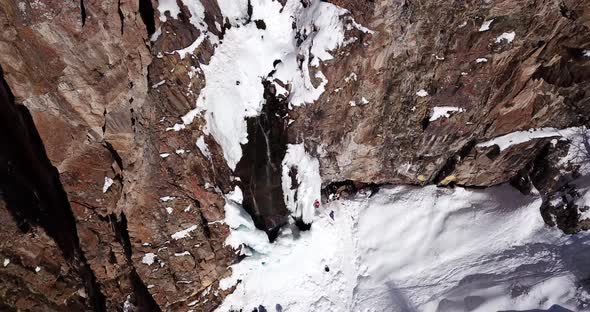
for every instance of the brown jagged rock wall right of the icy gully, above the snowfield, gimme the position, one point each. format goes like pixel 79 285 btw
pixel 540 79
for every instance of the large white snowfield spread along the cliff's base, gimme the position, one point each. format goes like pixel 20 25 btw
pixel 416 249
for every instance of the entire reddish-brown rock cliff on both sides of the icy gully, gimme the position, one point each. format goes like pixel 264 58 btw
pixel 409 100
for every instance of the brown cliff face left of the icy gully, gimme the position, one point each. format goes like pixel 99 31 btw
pixel 81 70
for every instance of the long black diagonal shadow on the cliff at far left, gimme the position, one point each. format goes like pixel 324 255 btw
pixel 32 190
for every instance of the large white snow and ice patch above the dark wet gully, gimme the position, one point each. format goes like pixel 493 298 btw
pixel 247 55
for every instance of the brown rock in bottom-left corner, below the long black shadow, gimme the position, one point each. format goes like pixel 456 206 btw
pixel 34 274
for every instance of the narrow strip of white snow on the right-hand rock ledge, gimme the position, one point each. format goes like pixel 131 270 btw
pixel 519 137
